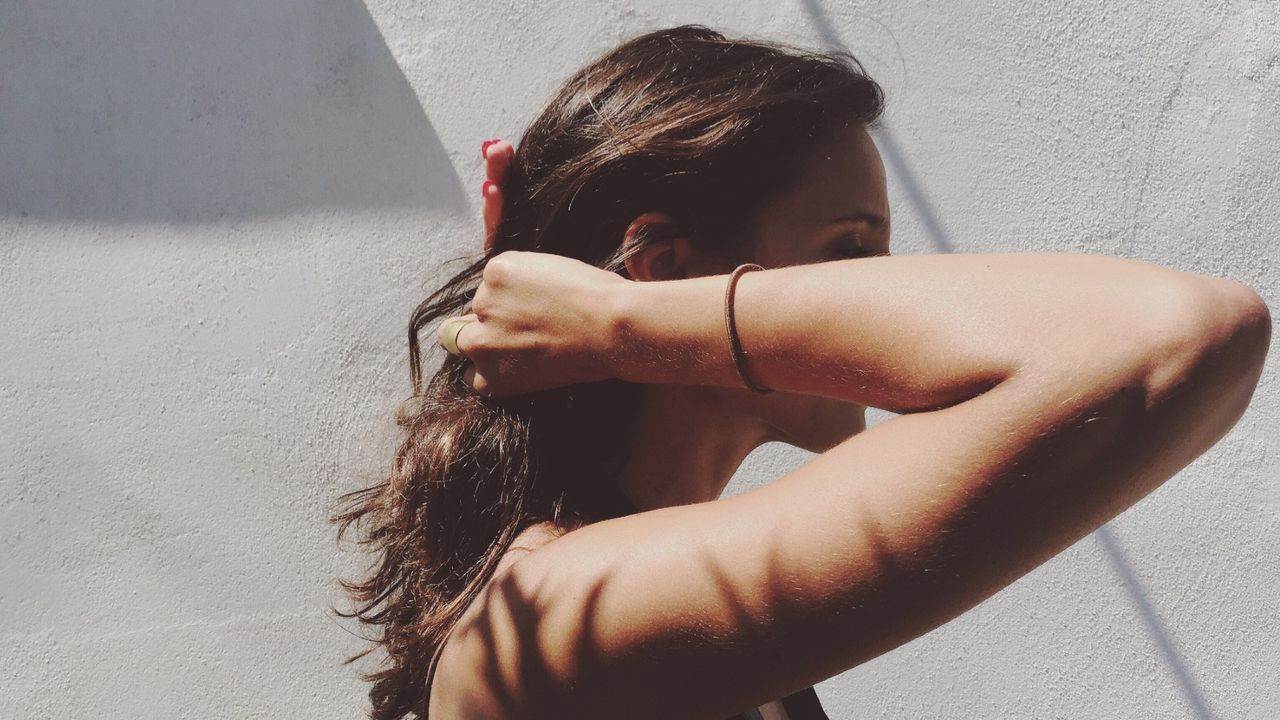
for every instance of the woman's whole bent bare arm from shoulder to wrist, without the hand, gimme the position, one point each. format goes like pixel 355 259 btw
pixel 1067 389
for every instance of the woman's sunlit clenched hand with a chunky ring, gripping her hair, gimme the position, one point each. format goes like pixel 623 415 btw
pixel 541 321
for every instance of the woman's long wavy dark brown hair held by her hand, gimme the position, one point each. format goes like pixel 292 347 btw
pixel 684 121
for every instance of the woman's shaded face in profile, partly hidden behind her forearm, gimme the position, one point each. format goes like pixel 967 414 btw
pixel 838 211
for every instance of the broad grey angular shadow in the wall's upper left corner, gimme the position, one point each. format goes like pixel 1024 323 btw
pixel 194 112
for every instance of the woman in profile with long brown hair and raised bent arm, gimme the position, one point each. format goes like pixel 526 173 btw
pixel 550 540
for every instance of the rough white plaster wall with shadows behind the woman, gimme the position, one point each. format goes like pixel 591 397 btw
pixel 217 217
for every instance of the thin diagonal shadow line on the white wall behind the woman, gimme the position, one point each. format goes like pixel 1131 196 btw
pixel 1110 546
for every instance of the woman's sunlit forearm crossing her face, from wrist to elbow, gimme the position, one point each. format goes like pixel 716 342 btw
pixel 903 334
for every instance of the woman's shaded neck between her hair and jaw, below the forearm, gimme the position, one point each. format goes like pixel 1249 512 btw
pixel 687 446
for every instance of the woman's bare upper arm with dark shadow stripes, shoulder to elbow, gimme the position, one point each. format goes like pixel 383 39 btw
pixel 706 610
